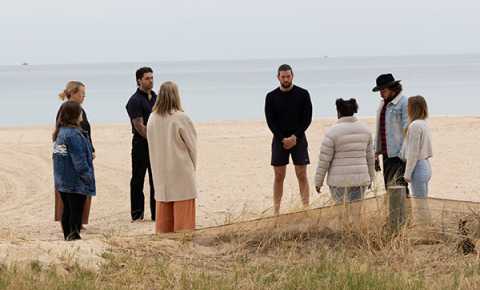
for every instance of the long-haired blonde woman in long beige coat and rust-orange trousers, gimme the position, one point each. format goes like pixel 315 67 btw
pixel 172 145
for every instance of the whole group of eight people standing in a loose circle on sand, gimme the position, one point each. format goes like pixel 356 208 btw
pixel 164 144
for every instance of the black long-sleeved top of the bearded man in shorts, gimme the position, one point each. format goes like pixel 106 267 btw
pixel 288 113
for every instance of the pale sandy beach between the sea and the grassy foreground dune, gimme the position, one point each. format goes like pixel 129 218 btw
pixel 234 178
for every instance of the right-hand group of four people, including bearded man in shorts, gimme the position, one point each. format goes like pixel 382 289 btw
pixel 349 155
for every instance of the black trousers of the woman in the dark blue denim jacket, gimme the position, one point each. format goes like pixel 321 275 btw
pixel 73 204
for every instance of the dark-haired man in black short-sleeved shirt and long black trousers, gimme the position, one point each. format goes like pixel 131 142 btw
pixel 139 108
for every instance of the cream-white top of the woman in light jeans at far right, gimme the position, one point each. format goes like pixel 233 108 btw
pixel 417 145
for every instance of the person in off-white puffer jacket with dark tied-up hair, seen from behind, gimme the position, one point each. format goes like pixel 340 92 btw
pixel 346 155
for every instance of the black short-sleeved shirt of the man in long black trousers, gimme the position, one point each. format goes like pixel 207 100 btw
pixel 140 106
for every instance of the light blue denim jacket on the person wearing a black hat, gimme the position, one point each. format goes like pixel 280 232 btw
pixel 396 122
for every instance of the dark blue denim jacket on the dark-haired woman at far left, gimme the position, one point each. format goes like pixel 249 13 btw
pixel 72 163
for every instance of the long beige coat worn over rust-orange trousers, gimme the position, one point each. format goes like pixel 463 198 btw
pixel 172 143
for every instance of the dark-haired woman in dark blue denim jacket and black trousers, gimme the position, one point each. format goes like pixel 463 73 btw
pixel 72 167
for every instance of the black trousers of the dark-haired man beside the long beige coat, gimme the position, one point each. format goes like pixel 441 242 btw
pixel 140 166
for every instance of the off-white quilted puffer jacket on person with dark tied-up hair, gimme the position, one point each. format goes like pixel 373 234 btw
pixel 347 155
